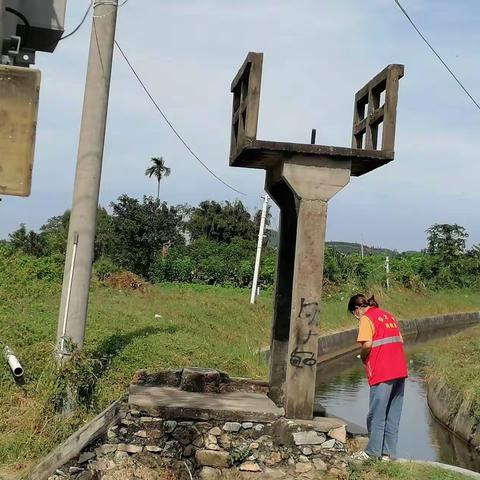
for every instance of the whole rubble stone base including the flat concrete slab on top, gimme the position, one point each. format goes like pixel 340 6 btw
pixel 206 443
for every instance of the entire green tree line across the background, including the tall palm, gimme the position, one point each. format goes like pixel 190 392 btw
pixel 215 242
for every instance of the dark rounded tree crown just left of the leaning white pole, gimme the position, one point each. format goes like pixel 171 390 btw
pixel 221 222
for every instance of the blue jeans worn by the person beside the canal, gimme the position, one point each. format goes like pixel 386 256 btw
pixel 383 420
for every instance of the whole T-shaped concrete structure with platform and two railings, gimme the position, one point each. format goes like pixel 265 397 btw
pixel 301 179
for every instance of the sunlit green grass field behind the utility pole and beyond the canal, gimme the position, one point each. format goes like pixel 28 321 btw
pixel 199 325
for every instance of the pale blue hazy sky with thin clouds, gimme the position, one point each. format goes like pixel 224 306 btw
pixel 317 54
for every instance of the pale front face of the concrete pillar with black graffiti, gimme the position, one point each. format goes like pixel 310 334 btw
pixel 312 183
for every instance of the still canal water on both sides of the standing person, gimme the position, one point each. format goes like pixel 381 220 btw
pixel 343 390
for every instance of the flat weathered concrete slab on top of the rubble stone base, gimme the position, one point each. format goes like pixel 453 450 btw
pixel 231 406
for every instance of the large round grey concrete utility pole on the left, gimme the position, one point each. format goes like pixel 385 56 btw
pixel 83 219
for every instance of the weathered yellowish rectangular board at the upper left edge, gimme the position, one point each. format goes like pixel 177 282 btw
pixel 19 90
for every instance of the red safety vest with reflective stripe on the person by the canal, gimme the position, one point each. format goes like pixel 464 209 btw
pixel 387 359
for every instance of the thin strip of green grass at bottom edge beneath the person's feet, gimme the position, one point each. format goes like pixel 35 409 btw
pixel 401 471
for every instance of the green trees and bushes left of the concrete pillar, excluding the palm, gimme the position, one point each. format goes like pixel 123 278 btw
pixel 213 242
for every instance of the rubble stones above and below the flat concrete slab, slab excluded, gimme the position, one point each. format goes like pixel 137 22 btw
pixel 148 447
